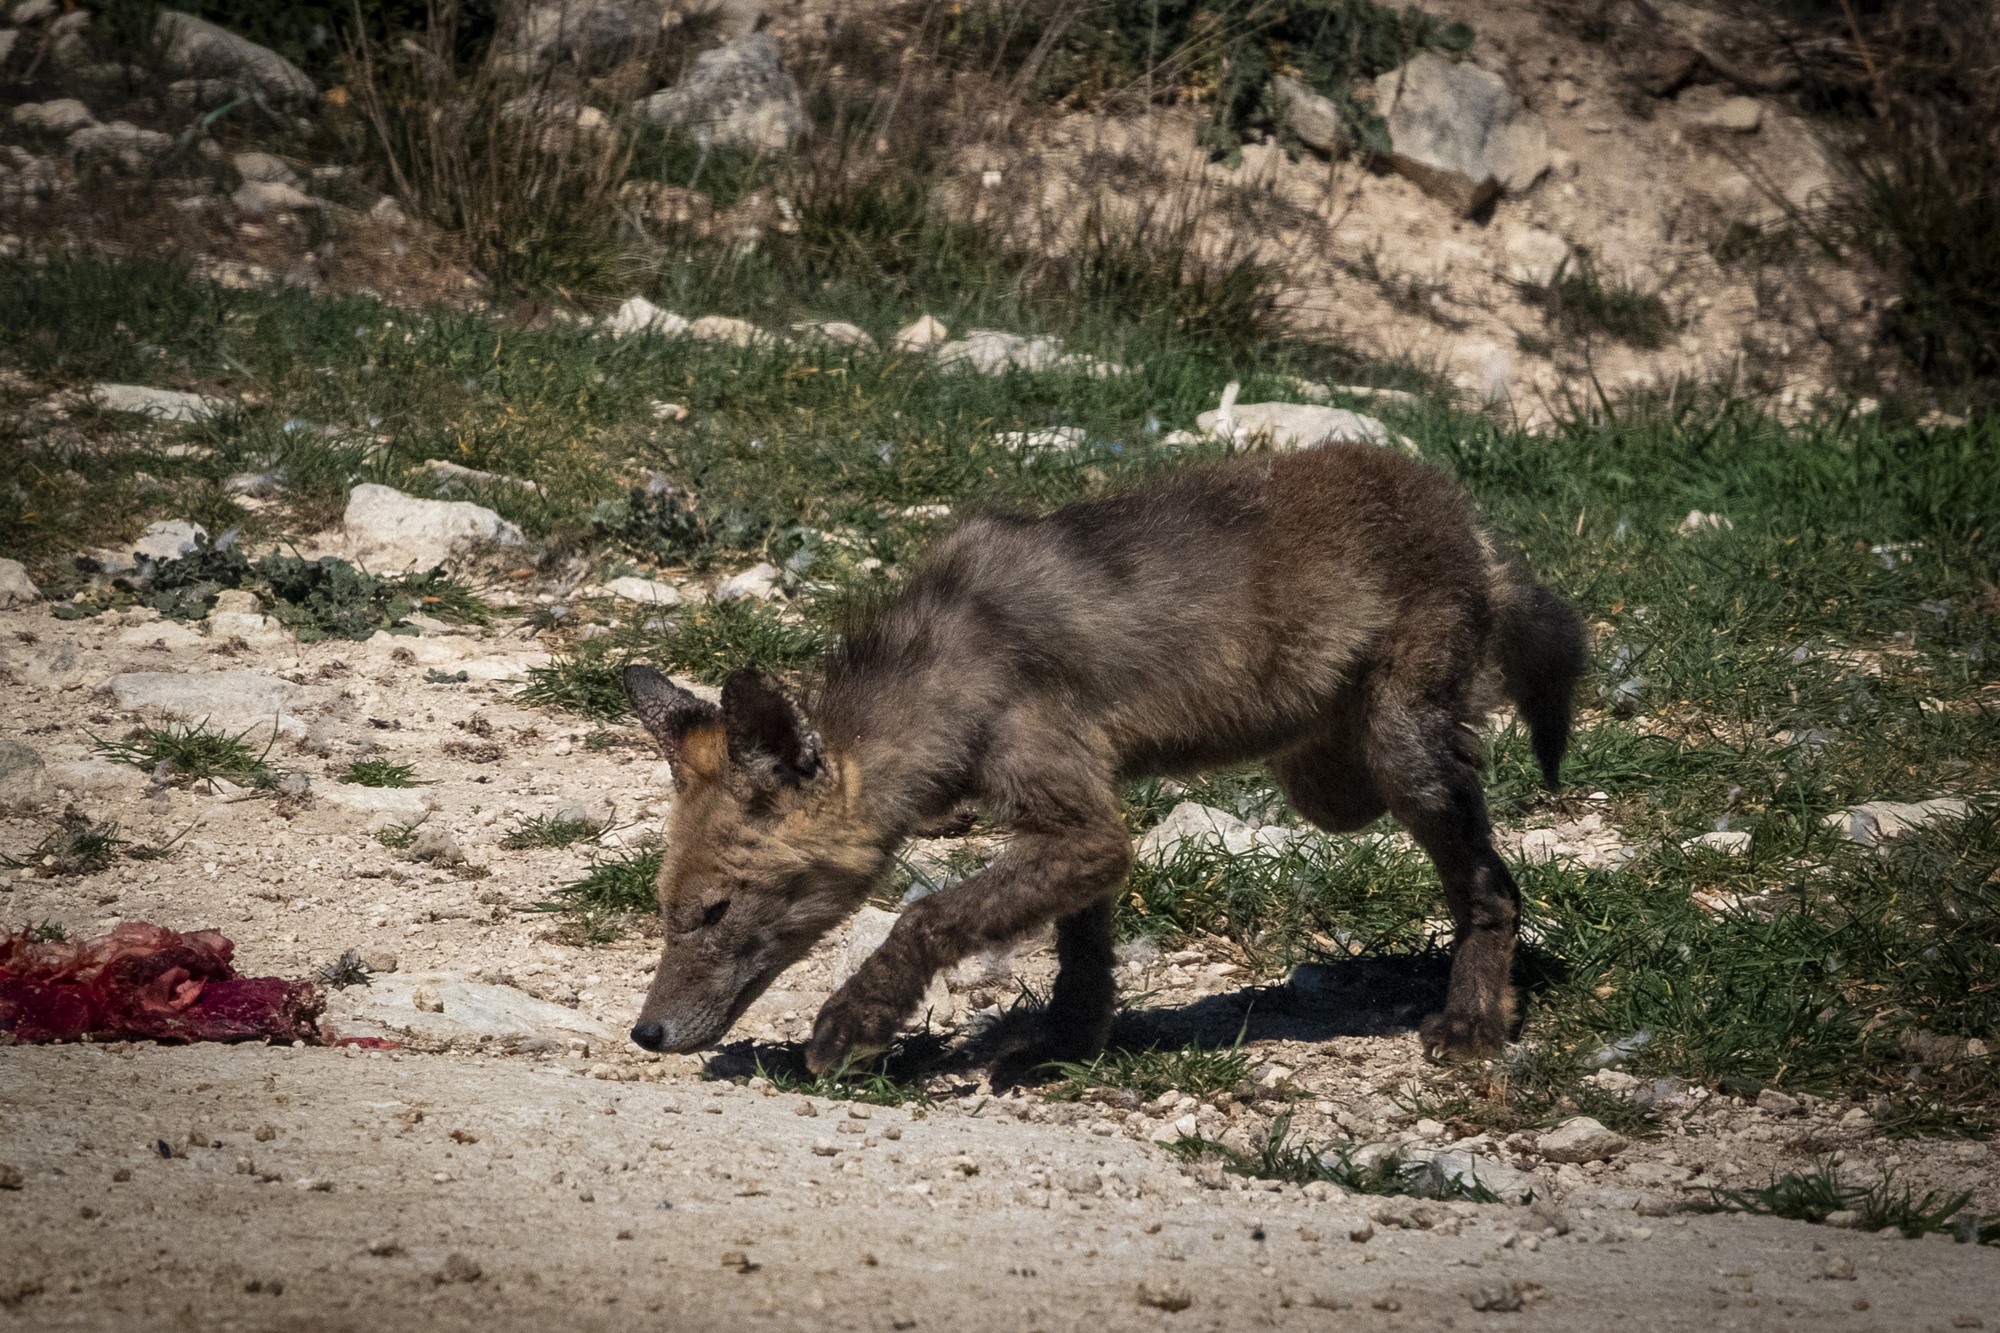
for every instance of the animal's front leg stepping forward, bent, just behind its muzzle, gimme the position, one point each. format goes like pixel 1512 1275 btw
pixel 1039 878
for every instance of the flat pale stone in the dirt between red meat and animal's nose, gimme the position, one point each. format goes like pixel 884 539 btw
pixel 471 1014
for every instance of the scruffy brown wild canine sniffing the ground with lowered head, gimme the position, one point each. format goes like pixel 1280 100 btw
pixel 1337 613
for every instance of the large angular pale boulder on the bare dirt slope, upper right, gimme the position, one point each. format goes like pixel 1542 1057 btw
pixel 1461 133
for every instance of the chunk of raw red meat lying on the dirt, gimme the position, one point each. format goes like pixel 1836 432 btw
pixel 149 984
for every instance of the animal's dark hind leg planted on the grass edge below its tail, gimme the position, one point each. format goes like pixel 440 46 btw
pixel 1427 766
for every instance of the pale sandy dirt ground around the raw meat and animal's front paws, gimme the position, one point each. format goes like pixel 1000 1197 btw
pixel 583 1184
